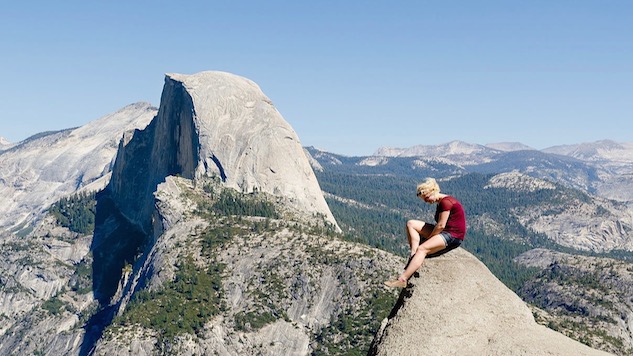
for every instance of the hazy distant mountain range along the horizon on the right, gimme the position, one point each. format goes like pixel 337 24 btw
pixel 603 167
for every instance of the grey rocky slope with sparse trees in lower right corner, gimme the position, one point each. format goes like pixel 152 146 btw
pixel 590 298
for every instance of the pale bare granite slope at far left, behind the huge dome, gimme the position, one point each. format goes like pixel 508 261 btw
pixel 40 170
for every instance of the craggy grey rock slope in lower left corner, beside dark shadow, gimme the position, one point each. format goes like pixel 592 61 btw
pixel 41 296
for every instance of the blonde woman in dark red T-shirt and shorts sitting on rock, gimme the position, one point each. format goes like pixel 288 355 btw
pixel 446 234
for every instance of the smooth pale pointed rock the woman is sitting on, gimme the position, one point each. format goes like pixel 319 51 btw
pixel 457 307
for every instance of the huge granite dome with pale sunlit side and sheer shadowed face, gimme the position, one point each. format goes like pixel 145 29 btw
pixel 214 124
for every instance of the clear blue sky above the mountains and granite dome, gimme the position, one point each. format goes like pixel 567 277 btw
pixel 349 76
